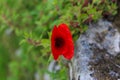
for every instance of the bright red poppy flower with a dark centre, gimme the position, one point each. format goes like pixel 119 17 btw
pixel 61 42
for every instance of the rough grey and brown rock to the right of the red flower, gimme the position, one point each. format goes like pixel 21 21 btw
pixel 97 53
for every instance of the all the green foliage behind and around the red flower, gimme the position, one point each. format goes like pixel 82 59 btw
pixel 25 30
